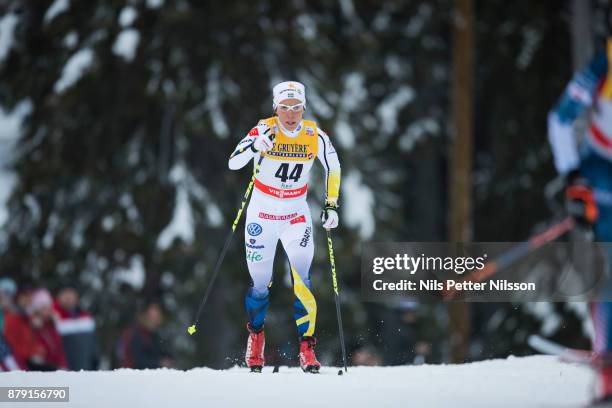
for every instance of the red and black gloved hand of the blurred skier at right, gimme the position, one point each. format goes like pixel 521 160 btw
pixel 580 201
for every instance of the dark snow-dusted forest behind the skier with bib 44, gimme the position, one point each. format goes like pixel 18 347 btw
pixel 117 119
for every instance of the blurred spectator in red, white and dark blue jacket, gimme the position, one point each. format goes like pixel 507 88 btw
pixel 77 330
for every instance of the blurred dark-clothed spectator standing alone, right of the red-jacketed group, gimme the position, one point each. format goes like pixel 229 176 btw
pixel 141 346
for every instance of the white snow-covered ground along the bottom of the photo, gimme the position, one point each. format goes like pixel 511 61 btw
pixel 538 381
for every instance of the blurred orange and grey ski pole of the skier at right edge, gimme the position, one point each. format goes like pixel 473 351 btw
pixel 516 253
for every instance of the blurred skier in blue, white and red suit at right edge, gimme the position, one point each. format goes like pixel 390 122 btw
pixel 588 171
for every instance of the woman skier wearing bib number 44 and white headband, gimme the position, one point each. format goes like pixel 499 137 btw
pixel 278 209
